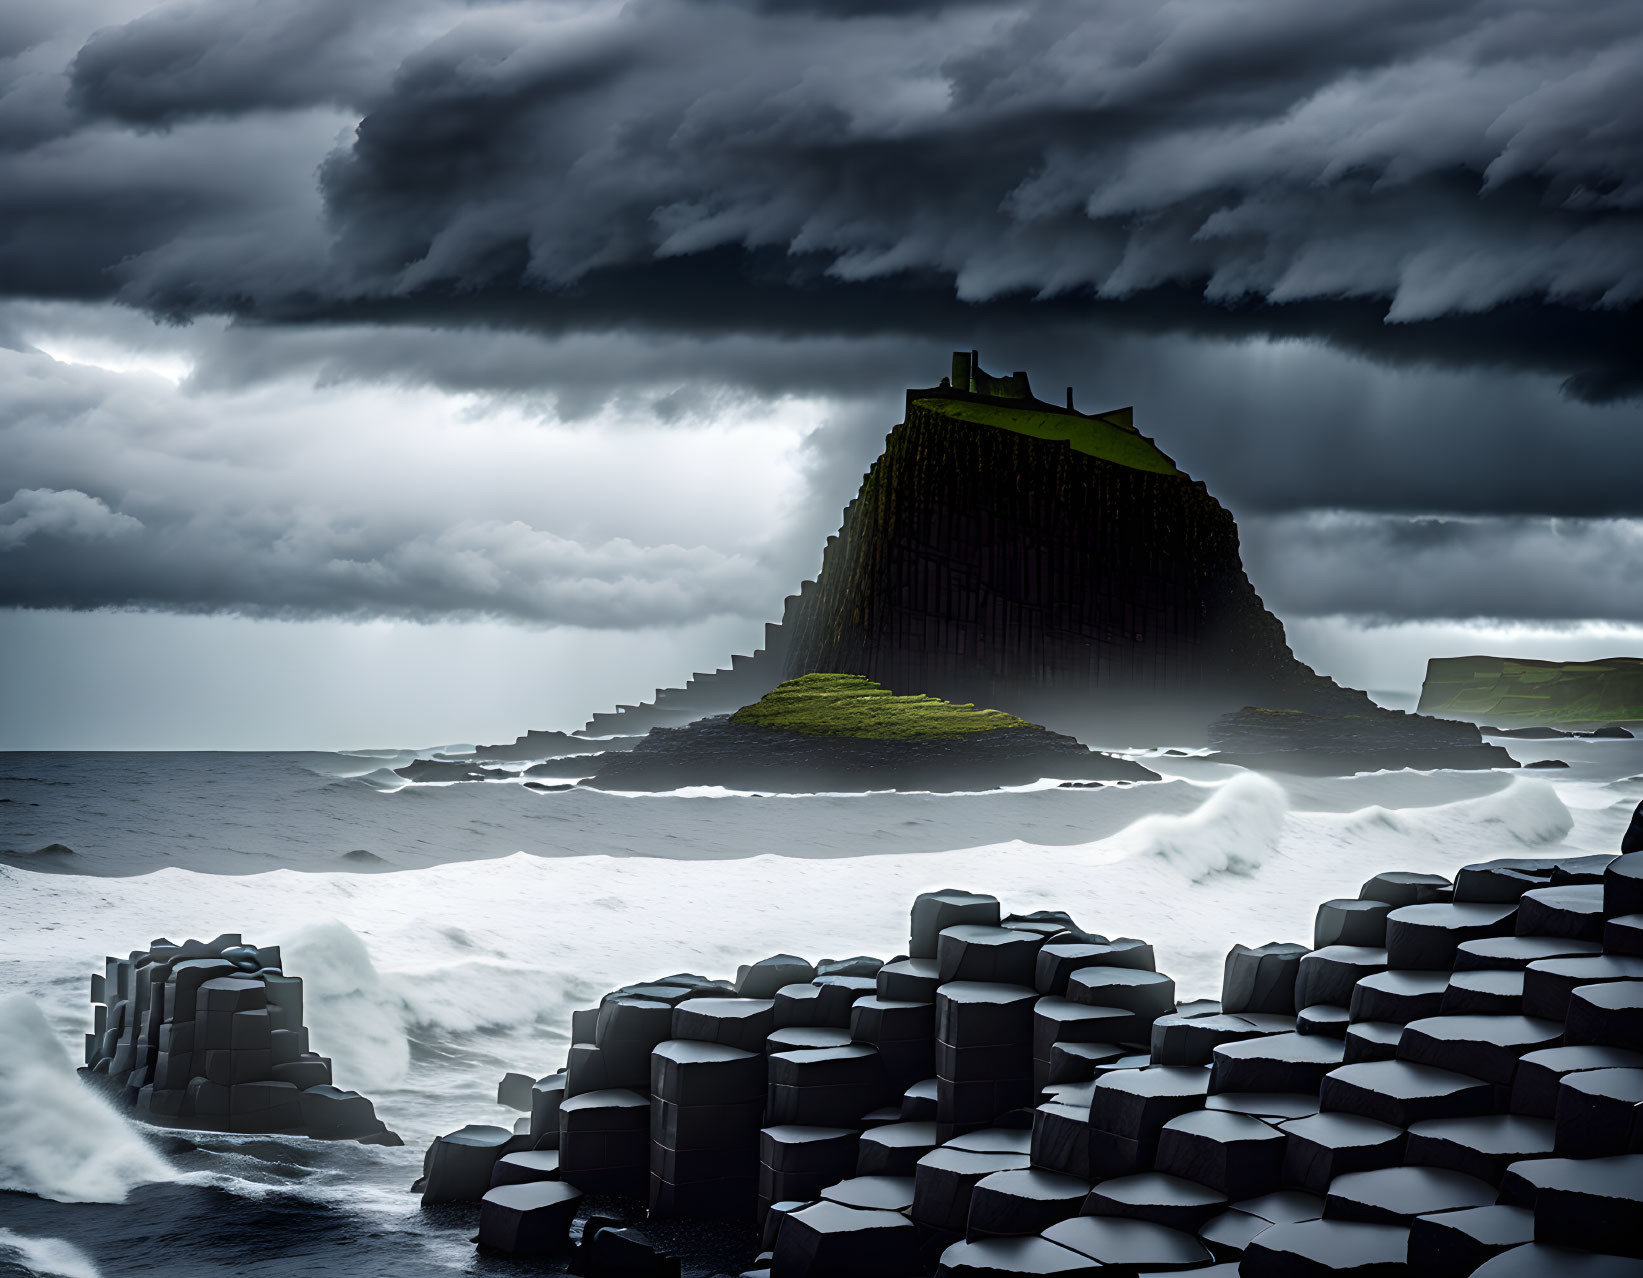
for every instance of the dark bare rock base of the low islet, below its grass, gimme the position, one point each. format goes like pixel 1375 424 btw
pixel 742 758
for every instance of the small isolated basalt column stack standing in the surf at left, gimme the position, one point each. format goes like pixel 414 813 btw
pixel 209 1036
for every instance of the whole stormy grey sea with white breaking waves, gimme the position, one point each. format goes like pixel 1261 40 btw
pixel 448 931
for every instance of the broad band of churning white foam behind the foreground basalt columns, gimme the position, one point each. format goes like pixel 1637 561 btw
pixel 484 960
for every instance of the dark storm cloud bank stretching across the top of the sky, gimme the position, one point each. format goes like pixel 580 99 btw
pixel 1457 185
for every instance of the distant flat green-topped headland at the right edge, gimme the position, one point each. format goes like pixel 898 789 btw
pixel 1517 692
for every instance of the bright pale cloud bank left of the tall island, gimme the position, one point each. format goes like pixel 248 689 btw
pixel 129 497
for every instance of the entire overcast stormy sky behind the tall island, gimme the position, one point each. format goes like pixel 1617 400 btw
pixel 428 372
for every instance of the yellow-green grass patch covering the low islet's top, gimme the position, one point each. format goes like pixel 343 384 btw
pixel 850 706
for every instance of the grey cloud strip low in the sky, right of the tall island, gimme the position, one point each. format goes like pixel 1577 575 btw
pixel 1383 569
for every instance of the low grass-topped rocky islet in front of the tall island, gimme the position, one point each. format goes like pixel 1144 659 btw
pixel 832 732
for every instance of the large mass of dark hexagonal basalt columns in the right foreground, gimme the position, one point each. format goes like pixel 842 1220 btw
pixel 1447 1082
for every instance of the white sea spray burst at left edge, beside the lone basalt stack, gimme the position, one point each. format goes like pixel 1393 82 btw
pixel 58 1138
